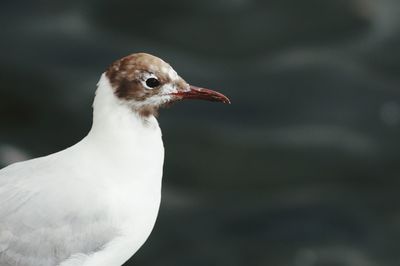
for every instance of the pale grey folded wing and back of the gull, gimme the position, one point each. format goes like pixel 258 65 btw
pixel 36 231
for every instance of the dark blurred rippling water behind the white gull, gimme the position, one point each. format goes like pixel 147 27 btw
pixel 301 170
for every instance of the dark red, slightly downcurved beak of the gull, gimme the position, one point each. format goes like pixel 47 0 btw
pixel 202 94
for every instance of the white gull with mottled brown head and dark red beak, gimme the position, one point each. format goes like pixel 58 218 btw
pixel 96 202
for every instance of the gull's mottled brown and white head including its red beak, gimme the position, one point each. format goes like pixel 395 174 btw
pixel 145 83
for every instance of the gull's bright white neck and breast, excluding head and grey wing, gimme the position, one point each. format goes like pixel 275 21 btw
pixel 123 154
